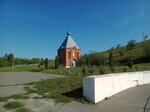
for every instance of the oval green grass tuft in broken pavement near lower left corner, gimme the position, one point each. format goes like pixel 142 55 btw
pixel 13 105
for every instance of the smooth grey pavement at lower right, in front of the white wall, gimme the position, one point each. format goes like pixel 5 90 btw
pixel 135 99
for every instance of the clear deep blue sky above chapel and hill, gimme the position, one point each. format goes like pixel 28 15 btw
pixel 36 28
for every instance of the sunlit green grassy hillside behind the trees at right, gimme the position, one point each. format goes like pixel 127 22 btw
pixel 121 55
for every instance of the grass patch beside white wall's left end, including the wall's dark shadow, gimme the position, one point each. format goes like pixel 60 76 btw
pixel 61 89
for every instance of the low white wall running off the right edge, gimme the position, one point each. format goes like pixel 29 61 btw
pixel 97 88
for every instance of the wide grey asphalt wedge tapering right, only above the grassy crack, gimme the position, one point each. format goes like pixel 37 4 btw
pixel 13 78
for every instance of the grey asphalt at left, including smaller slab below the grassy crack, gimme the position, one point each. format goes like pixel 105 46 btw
pixel 12 82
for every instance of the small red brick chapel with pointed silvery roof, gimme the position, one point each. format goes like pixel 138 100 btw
pixel 68 52
